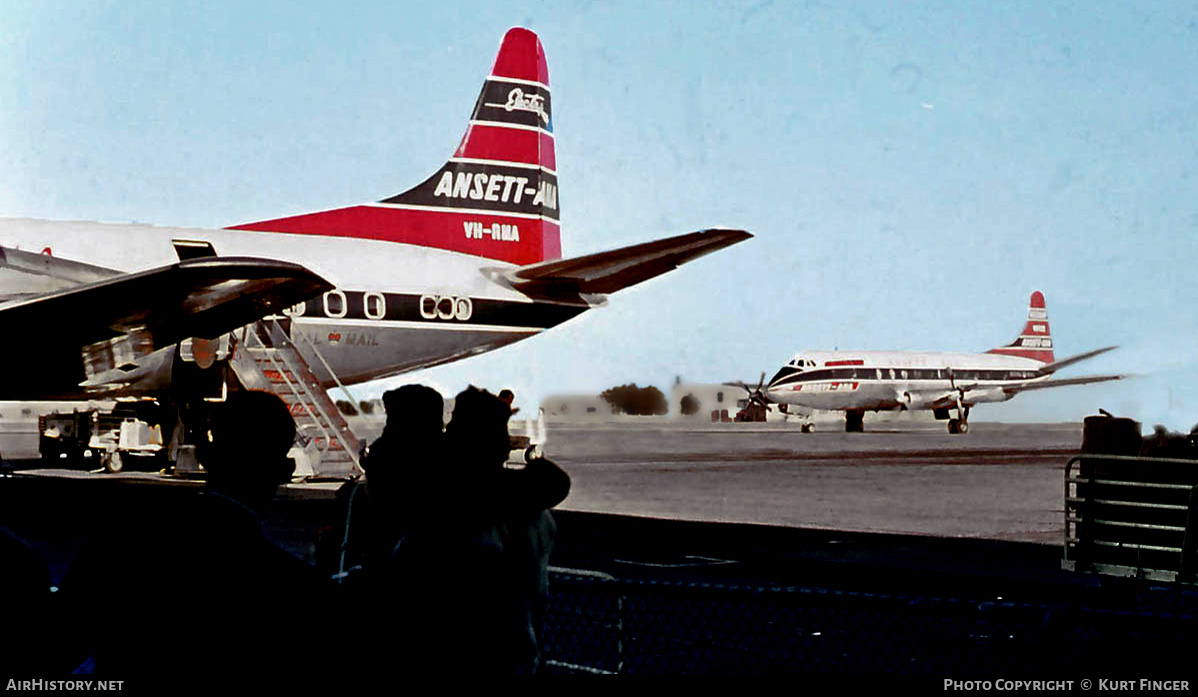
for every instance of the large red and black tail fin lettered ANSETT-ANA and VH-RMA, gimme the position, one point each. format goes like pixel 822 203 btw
pixel 497 198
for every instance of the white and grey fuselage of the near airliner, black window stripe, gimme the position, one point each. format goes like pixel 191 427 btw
pixel 397 307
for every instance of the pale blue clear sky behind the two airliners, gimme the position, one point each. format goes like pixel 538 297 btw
pixel 912 172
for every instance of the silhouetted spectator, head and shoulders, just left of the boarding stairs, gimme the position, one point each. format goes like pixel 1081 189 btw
pixel 193 587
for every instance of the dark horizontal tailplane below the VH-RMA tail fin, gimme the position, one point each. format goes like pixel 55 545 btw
pixel 619 269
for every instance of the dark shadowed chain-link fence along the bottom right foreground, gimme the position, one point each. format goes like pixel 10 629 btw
pixel 601 625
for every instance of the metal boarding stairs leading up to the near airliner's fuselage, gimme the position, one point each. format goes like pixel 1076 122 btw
pixel 265 357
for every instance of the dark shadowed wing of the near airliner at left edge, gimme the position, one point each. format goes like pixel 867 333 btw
pixel 51 336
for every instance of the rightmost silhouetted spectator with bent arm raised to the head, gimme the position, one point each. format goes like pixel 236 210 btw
pixel 473 579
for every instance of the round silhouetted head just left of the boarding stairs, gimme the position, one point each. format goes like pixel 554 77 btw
pixel 250 438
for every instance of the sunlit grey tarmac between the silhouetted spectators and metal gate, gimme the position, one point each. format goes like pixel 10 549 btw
pixel 1000 482
